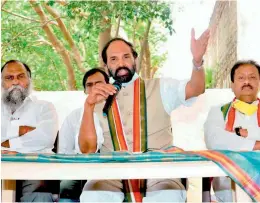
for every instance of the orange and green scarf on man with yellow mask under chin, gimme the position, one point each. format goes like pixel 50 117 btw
pixel 229 113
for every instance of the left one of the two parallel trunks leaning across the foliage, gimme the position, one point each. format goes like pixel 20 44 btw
pixel 56 44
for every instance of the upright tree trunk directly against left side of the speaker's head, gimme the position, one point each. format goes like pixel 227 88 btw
pixel 104 37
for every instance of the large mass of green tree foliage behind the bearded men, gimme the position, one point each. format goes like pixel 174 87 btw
pixel 25 39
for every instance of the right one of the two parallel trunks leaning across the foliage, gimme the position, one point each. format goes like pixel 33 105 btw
pixel 76 54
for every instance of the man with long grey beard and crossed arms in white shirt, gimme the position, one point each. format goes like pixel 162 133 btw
pixel 28 125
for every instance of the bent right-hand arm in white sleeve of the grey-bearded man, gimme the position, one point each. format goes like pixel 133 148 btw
pixel 39 137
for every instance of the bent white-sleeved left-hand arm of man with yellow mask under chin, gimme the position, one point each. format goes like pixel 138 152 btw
pixel 216 137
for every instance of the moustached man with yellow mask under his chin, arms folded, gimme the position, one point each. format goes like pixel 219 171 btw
pixel 236 125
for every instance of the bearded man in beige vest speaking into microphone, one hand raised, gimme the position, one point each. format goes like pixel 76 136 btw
pixel 138 119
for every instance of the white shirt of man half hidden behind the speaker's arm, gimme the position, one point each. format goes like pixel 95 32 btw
pixel 69 133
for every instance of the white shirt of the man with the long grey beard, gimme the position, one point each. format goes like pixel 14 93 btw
pixel 35 113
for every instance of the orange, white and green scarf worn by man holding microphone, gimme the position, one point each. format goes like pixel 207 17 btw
pixel 134 189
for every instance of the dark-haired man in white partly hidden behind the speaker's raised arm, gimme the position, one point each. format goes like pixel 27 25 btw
pixel 70 190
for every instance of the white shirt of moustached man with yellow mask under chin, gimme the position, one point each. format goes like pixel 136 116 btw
pixel 217 137
